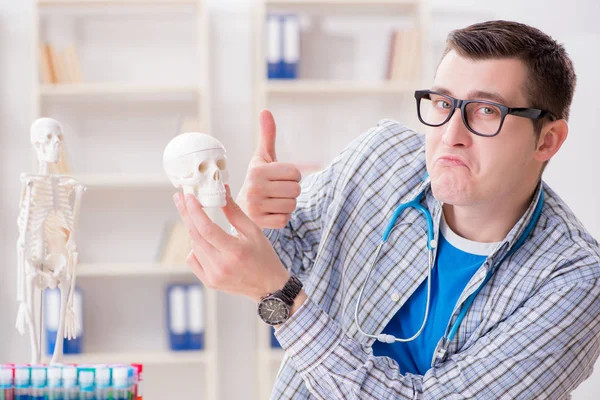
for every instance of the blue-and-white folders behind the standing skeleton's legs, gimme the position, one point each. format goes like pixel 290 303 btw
pixel 52 318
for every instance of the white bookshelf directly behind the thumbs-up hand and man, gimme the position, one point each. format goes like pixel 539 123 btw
pixel 305 91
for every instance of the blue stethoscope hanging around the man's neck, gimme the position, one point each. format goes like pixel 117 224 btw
pixel 431 246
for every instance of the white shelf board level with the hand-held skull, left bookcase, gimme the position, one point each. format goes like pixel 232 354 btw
pixel 118 180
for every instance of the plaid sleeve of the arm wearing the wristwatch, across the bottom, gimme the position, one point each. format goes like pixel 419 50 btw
pixel 543 350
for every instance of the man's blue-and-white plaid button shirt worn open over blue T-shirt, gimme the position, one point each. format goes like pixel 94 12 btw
pixel 532 332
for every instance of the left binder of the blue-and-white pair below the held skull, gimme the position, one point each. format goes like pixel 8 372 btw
pixel 176 317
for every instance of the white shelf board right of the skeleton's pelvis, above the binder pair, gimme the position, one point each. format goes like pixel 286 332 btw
pixel 131 269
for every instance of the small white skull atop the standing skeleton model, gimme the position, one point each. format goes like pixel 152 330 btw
pixel 47 137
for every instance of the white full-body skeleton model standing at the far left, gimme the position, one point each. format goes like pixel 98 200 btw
pixel 46 249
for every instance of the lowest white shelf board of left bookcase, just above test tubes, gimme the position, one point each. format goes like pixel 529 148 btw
pixel 146 358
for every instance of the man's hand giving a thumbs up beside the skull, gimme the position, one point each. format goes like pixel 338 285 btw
pixel 268 195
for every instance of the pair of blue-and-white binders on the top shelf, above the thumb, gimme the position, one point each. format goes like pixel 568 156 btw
pixel 282 46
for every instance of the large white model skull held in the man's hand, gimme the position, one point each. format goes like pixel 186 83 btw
pixel 197 163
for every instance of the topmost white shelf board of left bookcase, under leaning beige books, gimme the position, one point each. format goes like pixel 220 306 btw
pixel 95 89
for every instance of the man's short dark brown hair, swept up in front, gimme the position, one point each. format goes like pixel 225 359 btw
pixel 551 78
